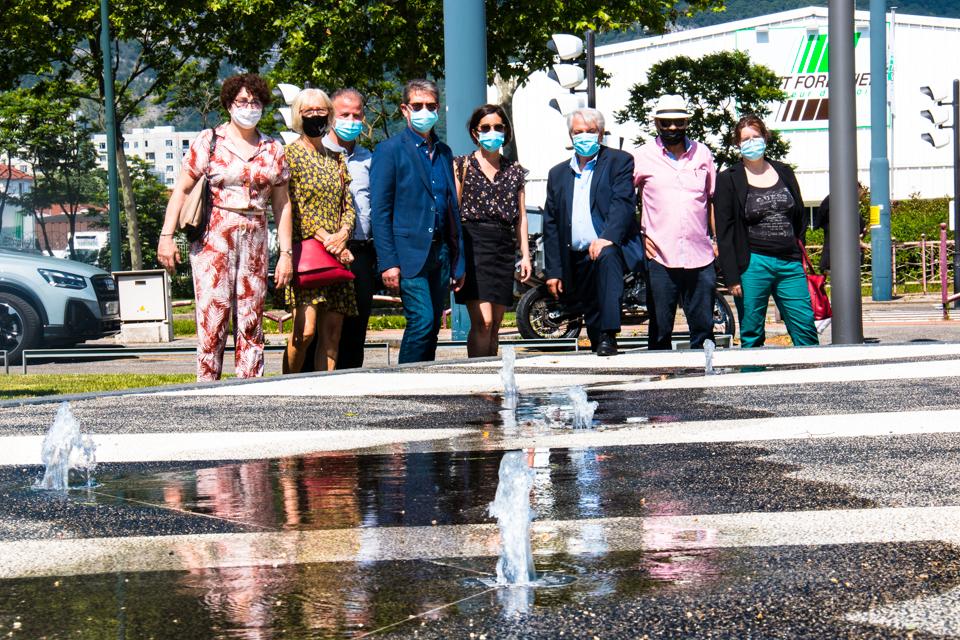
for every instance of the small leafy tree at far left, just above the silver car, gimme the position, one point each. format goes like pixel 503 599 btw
pixel 50 133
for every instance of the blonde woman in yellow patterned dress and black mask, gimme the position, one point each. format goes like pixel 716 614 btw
pixel 322 209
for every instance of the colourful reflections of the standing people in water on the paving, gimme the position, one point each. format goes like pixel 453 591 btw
pixel 344 490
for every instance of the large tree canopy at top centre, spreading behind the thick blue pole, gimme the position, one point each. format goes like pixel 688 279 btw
pixel 375 45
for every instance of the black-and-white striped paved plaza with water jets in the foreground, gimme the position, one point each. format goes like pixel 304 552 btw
pixel 800 493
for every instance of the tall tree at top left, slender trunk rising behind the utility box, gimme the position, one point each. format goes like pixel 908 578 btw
pixel 58 43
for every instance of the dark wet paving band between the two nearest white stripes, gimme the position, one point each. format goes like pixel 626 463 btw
pixel 346 490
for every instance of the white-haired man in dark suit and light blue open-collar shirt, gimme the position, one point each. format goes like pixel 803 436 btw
pixel 590 232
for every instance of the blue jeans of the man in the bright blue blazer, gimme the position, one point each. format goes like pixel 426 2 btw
pixel 424 296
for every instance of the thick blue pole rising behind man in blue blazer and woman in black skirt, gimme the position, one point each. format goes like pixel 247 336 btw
pixel 465 73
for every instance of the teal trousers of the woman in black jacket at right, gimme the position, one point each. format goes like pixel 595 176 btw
pixel 786 281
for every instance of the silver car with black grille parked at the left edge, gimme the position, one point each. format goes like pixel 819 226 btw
pixel 49 302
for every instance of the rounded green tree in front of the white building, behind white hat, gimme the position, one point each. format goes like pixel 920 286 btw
pixel 719 87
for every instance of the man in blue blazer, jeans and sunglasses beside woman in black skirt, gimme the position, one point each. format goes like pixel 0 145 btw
pixel 416 220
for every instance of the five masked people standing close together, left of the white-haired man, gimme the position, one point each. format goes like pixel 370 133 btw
pixel 392 216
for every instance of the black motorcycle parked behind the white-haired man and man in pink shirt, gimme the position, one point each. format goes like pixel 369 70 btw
pixel 539 315
